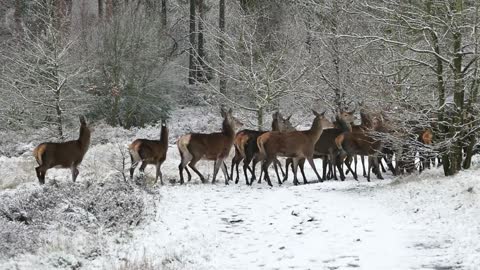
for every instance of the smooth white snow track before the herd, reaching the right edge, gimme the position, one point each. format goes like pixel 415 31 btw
pixel 401 224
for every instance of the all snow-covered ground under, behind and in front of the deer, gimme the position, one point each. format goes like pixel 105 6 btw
pixel 425 221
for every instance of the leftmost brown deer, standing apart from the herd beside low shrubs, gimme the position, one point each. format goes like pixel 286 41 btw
pixel 62 155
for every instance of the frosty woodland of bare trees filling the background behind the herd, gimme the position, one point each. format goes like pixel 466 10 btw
pixel 129 63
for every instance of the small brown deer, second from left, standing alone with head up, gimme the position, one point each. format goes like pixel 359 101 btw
pixel 149 152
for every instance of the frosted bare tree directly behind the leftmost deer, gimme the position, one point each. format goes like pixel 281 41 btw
pixel 41 71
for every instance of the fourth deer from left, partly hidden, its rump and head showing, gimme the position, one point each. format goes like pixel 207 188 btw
pixel 246 146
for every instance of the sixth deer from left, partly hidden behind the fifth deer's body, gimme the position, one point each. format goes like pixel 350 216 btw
pixel 325 146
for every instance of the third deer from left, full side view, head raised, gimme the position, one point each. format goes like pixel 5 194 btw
pixel 214 146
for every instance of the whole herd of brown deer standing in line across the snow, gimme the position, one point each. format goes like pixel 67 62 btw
pixel 338 143
